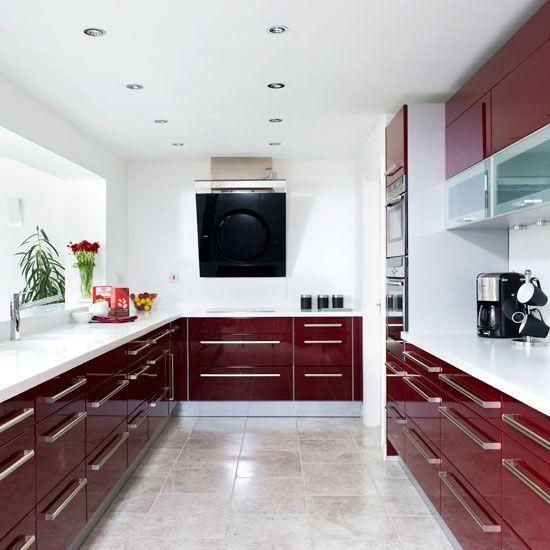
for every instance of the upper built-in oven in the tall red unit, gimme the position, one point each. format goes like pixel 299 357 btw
pixel 396 218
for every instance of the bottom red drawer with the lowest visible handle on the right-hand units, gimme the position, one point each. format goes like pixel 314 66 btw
pixel 471 520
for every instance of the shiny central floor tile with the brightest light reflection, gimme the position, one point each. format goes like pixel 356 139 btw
pixel 269 464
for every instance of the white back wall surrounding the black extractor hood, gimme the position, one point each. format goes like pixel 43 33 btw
pixel 321 235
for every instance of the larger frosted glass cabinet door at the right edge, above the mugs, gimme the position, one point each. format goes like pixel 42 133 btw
pixel 521 174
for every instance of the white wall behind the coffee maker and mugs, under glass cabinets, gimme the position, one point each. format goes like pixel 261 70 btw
pixel 530 249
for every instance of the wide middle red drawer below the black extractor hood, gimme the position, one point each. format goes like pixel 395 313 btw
pixel 256 350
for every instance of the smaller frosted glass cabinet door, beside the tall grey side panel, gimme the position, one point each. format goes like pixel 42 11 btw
pixel 466 196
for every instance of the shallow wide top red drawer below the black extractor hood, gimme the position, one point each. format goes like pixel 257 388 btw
pixel 230 325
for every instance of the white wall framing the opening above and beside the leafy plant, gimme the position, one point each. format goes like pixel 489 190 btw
pixel 23 114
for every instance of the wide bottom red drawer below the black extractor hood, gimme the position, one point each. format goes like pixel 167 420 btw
pixel 240 383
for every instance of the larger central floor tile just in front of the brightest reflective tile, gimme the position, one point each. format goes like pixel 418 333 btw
pixel 264 495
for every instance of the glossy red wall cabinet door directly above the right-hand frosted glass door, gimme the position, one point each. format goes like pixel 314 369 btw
pixel 521 101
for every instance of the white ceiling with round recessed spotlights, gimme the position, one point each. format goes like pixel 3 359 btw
pixel 205 66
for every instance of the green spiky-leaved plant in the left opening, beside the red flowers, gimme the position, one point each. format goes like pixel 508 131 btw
pixel 41 268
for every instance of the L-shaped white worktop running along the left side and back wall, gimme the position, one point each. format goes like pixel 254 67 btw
pixel 42 355
